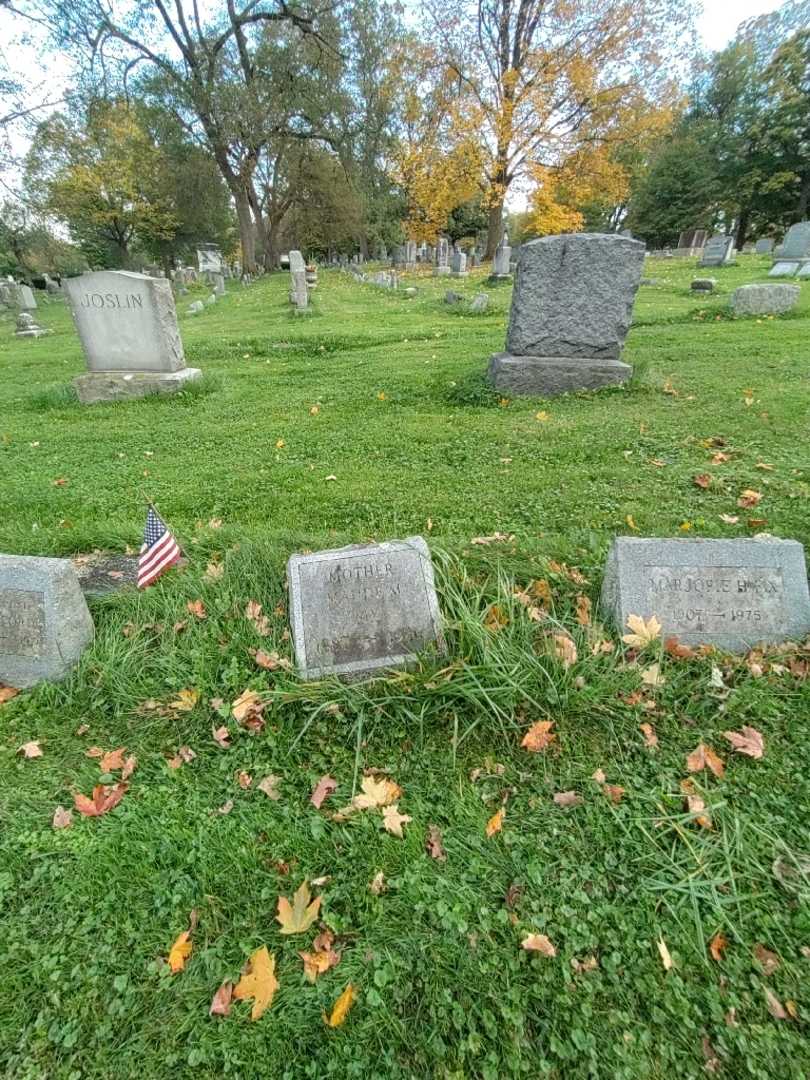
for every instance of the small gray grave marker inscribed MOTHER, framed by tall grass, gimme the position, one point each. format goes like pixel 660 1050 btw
pixel 363 610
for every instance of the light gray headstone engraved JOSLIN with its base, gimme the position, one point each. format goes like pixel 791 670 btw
pixel 128 326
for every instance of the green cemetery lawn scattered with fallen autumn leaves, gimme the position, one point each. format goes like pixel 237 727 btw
pixel 370 418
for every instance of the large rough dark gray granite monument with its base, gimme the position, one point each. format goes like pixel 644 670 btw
pixel 572 309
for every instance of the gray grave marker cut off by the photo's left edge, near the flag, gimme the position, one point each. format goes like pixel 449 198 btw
pixel 45 623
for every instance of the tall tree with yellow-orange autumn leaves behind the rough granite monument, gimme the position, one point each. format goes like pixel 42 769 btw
pixel 541 82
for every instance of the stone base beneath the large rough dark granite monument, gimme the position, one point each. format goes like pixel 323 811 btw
pixel 547 376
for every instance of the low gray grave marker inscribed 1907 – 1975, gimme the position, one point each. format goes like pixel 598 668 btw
pixel 730 593
